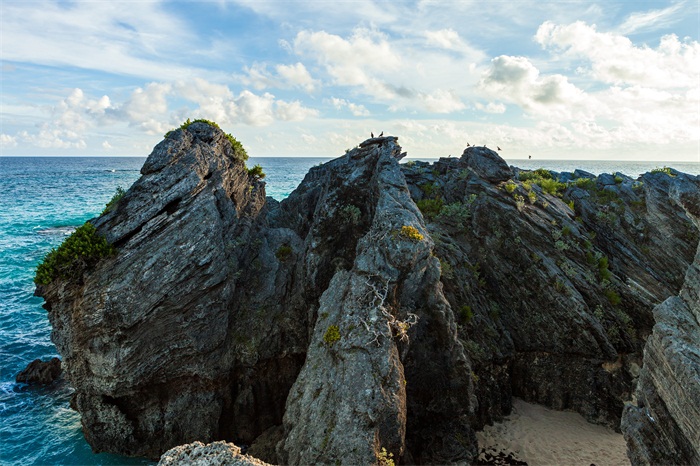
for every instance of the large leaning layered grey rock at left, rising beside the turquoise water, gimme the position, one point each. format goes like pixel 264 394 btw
pixel 144 335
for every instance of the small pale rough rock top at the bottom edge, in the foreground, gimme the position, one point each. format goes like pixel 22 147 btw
pixel 213 454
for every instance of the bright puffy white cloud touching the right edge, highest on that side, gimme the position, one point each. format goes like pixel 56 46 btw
pixel 615 59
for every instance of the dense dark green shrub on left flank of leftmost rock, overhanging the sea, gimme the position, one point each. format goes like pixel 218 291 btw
pixel 83 249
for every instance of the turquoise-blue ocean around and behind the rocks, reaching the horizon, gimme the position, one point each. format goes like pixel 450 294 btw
pixel 42 199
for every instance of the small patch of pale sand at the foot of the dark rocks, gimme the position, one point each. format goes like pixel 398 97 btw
pixel 541 436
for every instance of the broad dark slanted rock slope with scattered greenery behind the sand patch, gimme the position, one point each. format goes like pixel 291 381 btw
pixel 554 304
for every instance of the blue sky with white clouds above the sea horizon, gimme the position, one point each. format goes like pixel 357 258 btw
pixel 568 79
